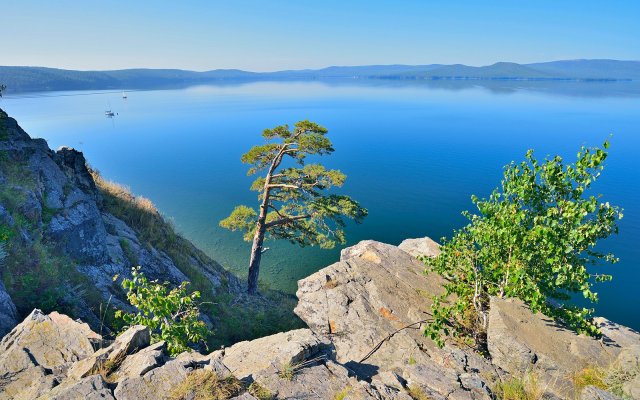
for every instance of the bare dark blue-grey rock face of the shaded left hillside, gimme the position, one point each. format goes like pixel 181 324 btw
pixel 58 195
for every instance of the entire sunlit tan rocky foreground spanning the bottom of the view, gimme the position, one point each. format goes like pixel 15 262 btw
pixel 363 342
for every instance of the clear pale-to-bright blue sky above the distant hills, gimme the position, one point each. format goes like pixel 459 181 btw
pixel 274 34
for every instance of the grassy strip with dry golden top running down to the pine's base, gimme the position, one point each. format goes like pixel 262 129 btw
pixel 237 316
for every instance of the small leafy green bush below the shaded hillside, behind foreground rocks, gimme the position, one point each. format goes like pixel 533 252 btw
pixel 172 315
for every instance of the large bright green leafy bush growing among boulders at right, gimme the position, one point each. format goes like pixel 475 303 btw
pixel 534 240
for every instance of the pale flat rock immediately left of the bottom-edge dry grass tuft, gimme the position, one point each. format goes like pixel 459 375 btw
pixel 160 382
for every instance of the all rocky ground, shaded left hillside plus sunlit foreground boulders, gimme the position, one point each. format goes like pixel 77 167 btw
pixel 363 314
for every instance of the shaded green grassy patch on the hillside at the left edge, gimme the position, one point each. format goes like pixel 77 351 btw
pixel 35 274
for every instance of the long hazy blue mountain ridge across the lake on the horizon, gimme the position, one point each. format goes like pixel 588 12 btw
pixel 27 79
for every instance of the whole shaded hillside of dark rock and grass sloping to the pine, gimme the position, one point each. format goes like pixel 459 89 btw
pixel 67 232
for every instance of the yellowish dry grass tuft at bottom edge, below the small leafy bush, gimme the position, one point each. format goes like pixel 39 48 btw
pixel 205 385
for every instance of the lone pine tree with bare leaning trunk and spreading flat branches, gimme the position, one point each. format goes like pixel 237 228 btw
pixel 294 203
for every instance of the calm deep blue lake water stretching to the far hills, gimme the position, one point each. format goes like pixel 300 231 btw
pixel 413 153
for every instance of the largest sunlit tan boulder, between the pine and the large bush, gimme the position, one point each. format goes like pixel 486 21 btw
pixel 369 306
